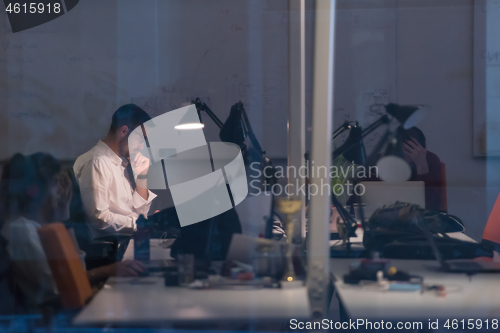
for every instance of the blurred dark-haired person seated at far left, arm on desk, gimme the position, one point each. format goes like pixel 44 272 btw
pixel 33 192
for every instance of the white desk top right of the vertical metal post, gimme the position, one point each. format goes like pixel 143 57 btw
pixel 466 298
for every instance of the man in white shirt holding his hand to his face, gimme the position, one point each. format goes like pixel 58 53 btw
pixel 111 197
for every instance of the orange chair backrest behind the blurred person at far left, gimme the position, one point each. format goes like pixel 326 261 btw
pixel 67 269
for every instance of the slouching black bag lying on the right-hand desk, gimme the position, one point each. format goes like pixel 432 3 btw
pixel 402 231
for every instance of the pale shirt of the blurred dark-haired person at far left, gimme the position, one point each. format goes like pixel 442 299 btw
pixel 31 269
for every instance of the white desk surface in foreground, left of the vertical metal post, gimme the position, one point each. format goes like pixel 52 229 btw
pixel 147 302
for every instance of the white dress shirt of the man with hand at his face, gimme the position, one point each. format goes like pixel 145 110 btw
pixel 111 204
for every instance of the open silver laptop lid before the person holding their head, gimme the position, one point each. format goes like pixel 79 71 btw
pixel 379 194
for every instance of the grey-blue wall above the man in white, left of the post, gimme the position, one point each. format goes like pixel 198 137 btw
pixel 60 82
